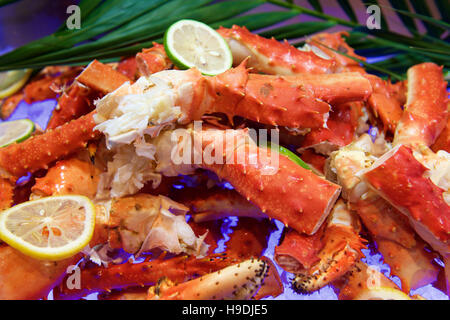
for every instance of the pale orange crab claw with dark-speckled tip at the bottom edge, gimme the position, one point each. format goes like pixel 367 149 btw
pixel 240 281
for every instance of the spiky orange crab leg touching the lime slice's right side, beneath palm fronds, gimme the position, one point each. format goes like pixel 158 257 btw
pixel 271 56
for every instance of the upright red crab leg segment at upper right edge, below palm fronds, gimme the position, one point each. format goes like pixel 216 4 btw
pixel 425 114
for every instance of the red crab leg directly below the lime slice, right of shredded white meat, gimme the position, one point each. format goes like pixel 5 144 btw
pixel 292 101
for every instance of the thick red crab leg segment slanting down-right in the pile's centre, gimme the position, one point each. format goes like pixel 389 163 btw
pixel 301 205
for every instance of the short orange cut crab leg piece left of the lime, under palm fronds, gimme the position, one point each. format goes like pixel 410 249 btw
pixel 101 77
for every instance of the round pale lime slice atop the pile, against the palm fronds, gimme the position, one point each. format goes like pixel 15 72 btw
pixel 190 43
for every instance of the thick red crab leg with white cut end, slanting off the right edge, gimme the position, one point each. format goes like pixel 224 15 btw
pixel 399 178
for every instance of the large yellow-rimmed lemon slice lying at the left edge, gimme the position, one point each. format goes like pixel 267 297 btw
pixel 51 228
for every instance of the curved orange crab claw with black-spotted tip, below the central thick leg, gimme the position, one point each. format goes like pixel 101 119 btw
pixel 341 250
